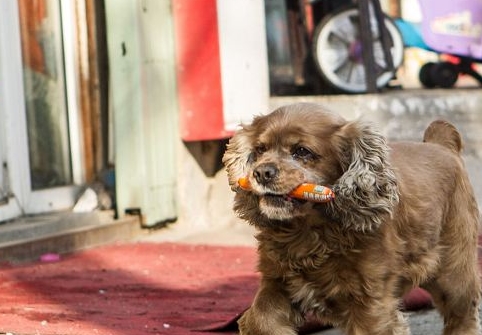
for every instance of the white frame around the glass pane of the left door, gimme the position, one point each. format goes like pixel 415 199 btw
pixel 14 142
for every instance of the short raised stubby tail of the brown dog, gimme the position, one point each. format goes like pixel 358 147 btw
pixel 445 134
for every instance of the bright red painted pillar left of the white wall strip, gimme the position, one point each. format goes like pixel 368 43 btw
pixel 198 70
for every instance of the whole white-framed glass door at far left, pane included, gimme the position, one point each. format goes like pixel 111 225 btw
pixel 37 109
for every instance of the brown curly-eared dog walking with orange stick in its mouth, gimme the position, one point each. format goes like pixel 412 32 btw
pixel 404 216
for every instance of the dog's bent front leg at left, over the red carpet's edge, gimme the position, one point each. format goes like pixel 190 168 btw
pixel 271 312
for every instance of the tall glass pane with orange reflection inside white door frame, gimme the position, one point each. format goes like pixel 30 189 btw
pixel 45 94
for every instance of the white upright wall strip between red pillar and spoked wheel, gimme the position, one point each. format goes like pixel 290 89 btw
pixel 244 60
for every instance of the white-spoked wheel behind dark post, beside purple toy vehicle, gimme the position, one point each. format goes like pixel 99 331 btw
pixel 338 50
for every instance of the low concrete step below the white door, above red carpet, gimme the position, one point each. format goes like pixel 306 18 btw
pixel 26 239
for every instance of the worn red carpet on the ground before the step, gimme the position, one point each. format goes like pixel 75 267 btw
pixel 132 289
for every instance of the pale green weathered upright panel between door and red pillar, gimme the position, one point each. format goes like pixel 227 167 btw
pixel 144 106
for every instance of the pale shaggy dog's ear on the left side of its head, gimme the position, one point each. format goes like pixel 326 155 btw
pixel 237 155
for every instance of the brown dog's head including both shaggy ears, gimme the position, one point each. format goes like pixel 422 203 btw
pixel 303 143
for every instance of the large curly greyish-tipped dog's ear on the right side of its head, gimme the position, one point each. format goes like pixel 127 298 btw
pixel 367 191
